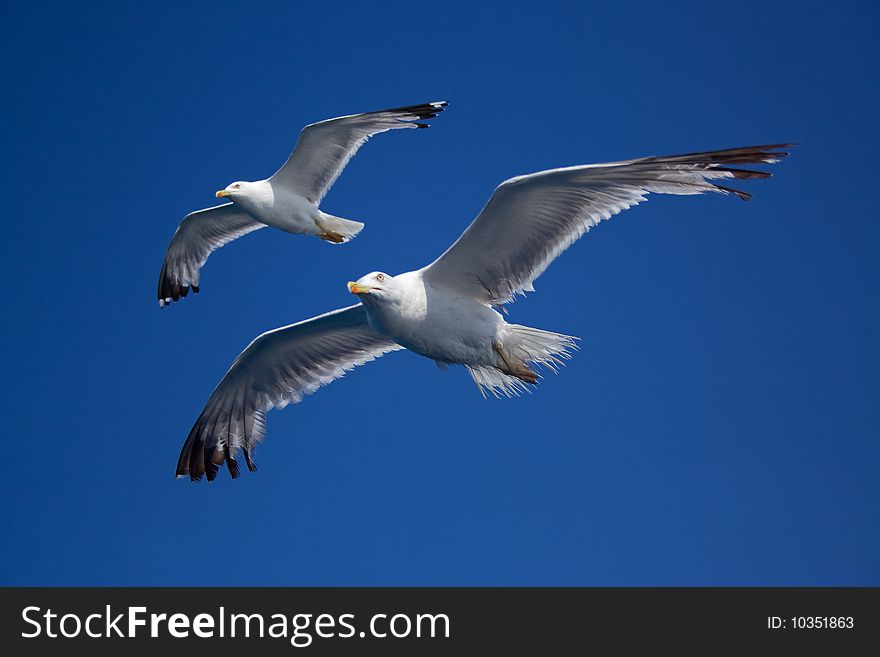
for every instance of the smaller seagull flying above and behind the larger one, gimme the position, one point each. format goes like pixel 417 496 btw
pixel 288 200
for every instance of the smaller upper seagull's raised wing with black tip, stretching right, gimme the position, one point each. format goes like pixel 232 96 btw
pixel 324 148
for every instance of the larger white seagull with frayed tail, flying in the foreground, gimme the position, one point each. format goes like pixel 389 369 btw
pixel 446 311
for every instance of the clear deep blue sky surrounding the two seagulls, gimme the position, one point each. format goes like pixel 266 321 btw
pixel 719 426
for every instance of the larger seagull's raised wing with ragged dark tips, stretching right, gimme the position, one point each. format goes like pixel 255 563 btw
pixel 532 219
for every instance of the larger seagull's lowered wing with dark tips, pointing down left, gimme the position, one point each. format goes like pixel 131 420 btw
pixel 276 369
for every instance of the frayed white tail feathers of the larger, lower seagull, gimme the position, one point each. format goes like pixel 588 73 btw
pixel 524 345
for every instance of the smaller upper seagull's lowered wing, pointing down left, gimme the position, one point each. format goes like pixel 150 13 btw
pixel 199 234
